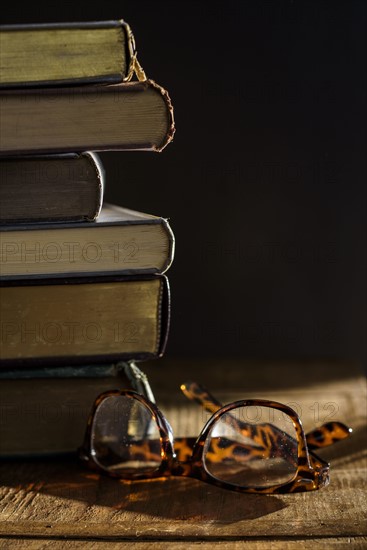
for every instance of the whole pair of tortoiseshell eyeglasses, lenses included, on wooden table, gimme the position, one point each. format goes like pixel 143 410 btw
pixel 252 445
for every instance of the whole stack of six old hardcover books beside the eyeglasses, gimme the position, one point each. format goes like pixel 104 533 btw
pixel 83 292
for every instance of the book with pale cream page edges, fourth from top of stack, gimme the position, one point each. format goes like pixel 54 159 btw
pixel 120 241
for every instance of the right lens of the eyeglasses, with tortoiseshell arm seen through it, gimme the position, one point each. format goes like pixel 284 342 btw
pixel 253 446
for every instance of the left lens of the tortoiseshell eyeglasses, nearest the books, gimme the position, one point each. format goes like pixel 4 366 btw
pixel 124 437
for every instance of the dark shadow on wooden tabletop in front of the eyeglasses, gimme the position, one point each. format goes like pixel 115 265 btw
pixel 173 498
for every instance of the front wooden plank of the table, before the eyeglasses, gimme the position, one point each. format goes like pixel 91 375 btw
pixel 40 501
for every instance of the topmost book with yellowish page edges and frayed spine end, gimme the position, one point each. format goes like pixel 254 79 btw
pixel 66 53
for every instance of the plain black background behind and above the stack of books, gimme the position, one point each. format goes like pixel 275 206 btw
pixel 265 181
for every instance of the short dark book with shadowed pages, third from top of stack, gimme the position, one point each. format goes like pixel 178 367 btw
pixel 65 187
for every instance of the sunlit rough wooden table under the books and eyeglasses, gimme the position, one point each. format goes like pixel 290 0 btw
pixel 56 504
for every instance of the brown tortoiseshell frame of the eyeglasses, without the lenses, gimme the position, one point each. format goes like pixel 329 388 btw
pixel 184 456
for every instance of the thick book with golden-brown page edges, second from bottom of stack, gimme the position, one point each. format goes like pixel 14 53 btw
pixel 80 321
